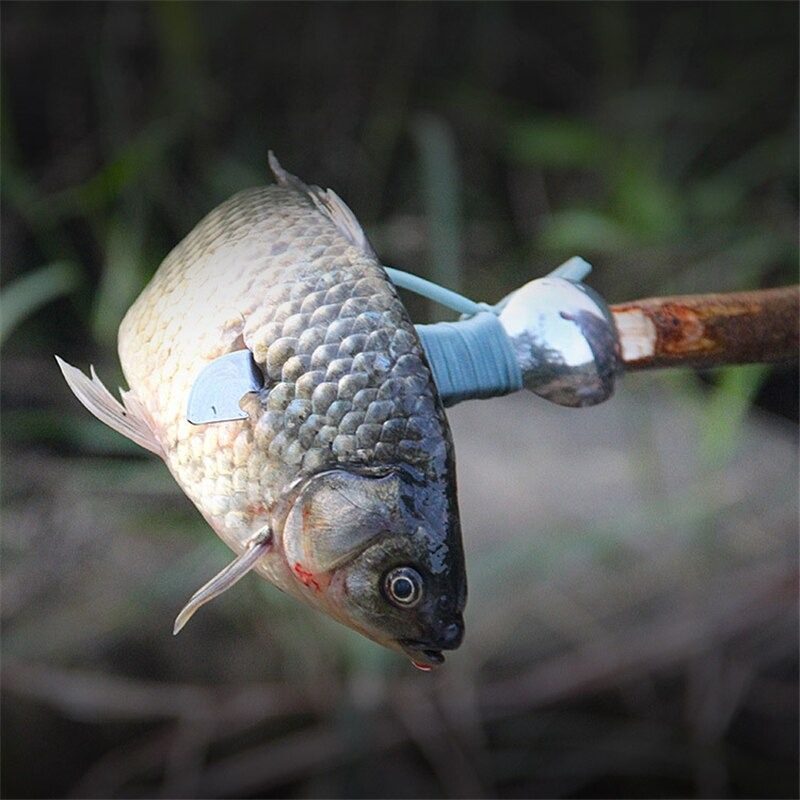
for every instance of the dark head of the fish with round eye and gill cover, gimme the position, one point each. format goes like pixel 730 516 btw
pixel 381 552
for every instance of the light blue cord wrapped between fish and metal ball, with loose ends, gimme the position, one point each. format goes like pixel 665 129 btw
pixel 472 358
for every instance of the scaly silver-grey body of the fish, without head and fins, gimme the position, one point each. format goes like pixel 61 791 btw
pixel 345 372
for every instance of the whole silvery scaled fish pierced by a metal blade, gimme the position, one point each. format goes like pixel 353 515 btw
pixel 337 483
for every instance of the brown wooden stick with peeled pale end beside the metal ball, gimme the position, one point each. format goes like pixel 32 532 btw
pixel 709 330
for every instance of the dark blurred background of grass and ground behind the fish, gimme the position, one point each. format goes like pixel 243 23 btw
pixel 632 627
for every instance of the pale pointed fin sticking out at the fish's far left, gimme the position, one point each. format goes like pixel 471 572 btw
pixel 129 419
